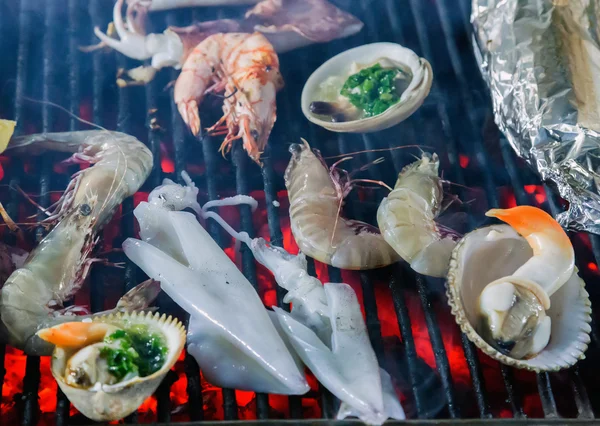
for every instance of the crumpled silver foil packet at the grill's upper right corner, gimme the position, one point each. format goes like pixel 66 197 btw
pixel 541 59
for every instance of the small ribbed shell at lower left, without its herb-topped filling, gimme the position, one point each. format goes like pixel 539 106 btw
pixel 113 402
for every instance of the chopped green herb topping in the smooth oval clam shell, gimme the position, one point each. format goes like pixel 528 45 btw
pixel 372 89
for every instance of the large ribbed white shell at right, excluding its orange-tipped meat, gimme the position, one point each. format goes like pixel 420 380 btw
pixel 489 253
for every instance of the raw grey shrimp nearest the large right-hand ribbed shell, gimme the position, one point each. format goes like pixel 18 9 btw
pixel 406 218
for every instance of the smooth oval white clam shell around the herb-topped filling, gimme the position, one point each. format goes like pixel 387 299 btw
pixel 368 54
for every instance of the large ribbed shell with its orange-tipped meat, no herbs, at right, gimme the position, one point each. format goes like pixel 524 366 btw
pixel 515 291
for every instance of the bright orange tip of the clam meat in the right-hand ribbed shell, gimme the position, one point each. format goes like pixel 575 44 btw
pixel 527 221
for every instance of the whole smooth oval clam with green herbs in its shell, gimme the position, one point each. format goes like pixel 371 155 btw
pixel 340 97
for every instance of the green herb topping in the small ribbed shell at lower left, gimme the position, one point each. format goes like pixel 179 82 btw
pixel 138 353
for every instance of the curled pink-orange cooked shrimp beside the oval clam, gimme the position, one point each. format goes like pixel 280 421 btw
pixel 247 68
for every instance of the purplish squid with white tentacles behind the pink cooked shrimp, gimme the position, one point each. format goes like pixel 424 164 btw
pixel 287 24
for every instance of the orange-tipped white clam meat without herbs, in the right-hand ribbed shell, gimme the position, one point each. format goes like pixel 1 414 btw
pixel 513 308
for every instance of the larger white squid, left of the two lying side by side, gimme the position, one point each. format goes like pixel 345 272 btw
pixel 230 333
